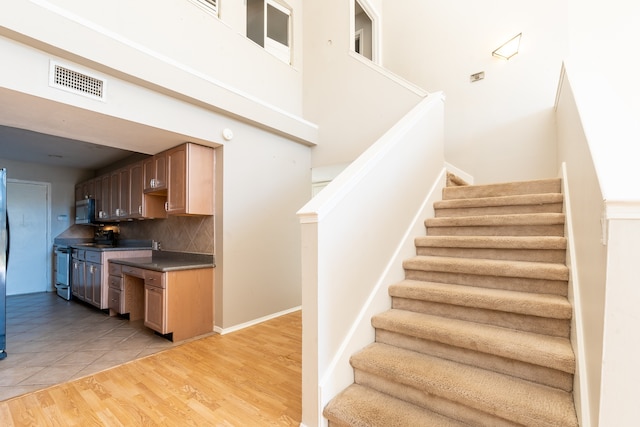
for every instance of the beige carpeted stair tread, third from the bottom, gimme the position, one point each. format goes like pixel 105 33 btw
pixel 536 349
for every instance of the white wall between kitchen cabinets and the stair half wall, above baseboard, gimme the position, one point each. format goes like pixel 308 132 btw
pixel 264 180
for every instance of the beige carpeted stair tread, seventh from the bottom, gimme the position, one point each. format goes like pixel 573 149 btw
pixel 497 220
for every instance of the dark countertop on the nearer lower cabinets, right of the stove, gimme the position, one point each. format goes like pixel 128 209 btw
pixel 169 261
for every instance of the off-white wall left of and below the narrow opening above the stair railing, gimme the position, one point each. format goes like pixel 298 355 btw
pixel 352 101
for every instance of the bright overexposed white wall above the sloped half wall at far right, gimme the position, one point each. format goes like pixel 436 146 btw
pixel 602 39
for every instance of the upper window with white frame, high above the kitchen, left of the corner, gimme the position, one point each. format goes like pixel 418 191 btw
pixel 269 25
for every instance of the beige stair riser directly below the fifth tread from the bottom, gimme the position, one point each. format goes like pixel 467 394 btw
pixel 554 287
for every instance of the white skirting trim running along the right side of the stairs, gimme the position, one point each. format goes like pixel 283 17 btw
pixel 577 322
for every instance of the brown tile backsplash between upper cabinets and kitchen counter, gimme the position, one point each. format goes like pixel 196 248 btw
pixel 176 233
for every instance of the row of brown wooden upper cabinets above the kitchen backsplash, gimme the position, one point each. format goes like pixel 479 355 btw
pixel 178 181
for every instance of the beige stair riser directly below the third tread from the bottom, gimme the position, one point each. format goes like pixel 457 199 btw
pixel 515 368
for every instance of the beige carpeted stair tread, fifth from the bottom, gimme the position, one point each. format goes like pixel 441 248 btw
pixel 486 267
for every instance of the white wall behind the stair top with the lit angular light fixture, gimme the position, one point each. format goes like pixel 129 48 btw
pixel 500 128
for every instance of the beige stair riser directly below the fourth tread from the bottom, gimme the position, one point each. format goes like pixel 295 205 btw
pixel 521 322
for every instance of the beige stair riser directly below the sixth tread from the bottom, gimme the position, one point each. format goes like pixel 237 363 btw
pixel 556 256
